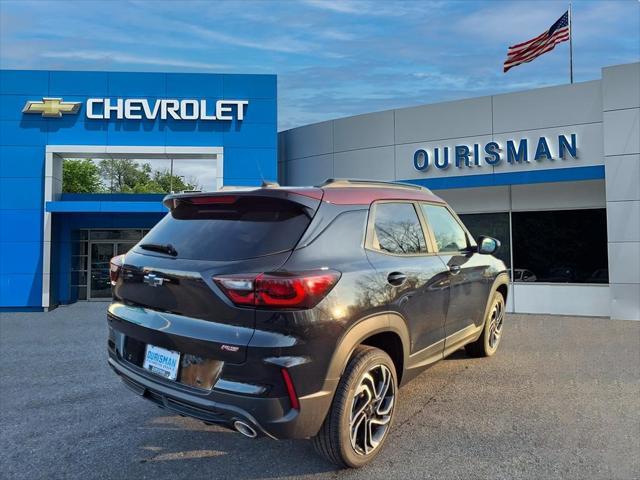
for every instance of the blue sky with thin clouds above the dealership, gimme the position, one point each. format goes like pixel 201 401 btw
pixel 333 58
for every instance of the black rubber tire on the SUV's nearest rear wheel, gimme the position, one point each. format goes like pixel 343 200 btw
pixel 333 441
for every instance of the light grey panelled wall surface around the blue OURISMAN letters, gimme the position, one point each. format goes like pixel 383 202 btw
pixel 381 145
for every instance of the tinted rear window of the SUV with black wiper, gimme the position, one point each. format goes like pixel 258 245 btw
pixel 247 228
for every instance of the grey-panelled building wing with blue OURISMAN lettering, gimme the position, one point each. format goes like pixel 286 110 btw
pixel 554 173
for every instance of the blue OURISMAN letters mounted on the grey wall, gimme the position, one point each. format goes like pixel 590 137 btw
pixel 492 153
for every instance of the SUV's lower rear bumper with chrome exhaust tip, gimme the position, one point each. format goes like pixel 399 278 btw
pixel 226 403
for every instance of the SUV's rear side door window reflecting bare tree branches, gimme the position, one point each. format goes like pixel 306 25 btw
pixel 397 229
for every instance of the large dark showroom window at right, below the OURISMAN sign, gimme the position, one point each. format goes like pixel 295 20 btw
pixel 564 246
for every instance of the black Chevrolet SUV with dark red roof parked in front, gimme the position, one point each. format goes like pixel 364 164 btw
pixel 298 312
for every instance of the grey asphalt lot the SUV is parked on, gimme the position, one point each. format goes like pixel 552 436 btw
pixel 560 400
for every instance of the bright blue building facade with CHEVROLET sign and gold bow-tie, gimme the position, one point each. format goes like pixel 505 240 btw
pixel 48 237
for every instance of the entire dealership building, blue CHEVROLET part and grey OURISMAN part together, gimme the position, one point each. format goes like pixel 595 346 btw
pixel 553 173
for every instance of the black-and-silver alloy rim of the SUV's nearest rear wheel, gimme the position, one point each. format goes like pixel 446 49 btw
pixel 371 409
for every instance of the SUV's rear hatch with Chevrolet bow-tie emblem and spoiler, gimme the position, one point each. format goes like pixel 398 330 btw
pixel 166 281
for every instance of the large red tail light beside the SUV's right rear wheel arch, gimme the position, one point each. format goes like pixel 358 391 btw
pixel 278 290
